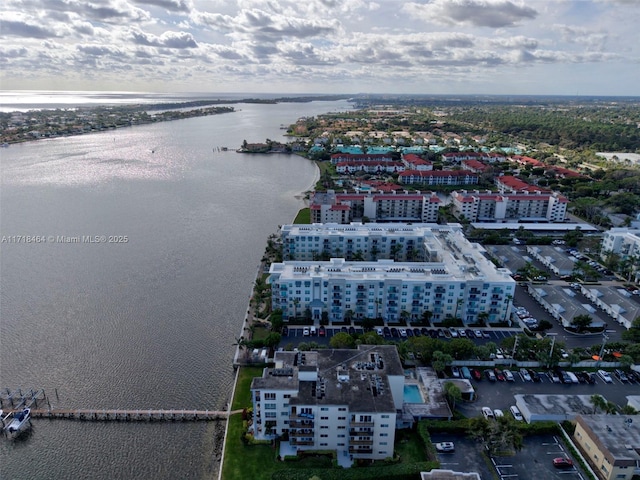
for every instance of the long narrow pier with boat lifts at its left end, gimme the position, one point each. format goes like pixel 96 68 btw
pixel 13 401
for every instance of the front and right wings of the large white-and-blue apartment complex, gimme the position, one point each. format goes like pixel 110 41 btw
pixel 456 280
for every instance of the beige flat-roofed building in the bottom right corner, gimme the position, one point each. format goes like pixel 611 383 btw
pixel 610 443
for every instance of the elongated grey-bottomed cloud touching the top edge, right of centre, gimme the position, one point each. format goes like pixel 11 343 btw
pixel 478 13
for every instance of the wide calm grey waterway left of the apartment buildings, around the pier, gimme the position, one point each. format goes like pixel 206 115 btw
pixel 148 323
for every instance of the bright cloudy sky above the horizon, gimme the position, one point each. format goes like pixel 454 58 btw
pixel 515 47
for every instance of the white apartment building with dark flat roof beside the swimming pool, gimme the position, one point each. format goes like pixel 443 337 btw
pixel 343 400
